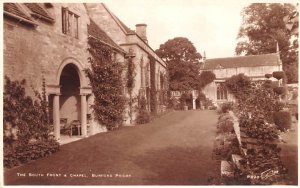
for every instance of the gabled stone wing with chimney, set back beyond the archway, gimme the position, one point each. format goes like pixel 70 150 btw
pixel 143 56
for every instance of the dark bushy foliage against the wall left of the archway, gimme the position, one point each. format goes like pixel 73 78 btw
pixel 24 120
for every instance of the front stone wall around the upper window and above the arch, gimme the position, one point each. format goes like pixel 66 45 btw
pixel 32 53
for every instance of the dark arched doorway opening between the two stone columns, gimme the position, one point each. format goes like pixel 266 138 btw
pixel 70 107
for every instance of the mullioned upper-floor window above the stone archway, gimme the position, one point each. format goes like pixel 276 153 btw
pixel 69 23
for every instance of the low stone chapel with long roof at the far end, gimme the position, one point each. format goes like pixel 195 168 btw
pixel 253 66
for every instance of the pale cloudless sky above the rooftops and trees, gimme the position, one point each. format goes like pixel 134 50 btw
pixel 212 26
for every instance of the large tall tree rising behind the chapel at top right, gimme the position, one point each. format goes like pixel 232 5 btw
pixel 262 28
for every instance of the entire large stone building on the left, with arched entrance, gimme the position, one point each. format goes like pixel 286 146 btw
pixel 47 41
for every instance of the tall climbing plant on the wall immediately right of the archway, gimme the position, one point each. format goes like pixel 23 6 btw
pixel 105 77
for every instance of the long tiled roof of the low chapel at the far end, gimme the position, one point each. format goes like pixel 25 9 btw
pixel 242 61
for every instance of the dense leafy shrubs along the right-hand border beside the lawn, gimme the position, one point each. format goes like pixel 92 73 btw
pixel 256 105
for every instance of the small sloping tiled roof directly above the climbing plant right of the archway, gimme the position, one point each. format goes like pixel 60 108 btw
pixel 95 31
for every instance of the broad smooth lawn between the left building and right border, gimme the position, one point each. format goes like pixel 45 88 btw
pixel 175 149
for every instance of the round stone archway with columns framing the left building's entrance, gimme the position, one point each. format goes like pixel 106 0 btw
pixel 68 97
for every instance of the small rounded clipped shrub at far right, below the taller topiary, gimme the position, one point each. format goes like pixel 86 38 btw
pixel 283 120
